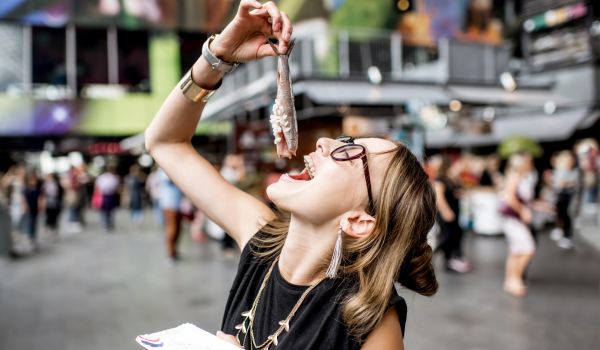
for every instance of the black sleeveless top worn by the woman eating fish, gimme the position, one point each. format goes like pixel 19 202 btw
pixel 316 325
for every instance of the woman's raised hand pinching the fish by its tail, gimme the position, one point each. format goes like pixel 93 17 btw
pixel 245 37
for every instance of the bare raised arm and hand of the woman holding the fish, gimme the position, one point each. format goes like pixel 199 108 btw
pixel 168 138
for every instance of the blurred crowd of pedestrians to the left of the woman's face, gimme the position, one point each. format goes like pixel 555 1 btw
pixel 45 206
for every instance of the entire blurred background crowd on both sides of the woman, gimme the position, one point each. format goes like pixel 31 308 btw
pixel 486 195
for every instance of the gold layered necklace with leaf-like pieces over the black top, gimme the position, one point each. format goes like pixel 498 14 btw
pixel 246 327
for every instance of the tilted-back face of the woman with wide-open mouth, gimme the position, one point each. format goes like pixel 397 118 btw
pixel 331 188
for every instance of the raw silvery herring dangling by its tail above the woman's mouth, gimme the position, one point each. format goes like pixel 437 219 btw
pixel 283 120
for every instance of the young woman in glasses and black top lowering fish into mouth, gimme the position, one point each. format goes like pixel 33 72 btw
pixel 321 277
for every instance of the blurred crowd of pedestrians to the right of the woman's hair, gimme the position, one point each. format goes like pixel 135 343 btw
pixel 489 195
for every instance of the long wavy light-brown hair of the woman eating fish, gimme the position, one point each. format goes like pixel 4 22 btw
pixel 396 250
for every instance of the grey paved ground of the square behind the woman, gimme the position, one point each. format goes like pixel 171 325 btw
pixel 97 291
